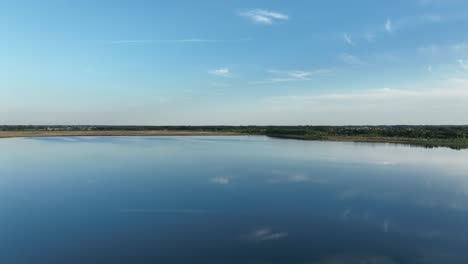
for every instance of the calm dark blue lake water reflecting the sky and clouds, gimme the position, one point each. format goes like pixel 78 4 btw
pixel 230 200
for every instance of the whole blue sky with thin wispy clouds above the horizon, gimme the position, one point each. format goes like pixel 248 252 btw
pixel 255 62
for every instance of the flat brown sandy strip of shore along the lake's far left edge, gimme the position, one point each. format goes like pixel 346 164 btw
pixel 12 134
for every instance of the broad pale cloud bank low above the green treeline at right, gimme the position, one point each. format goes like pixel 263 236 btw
pixel 444 103
